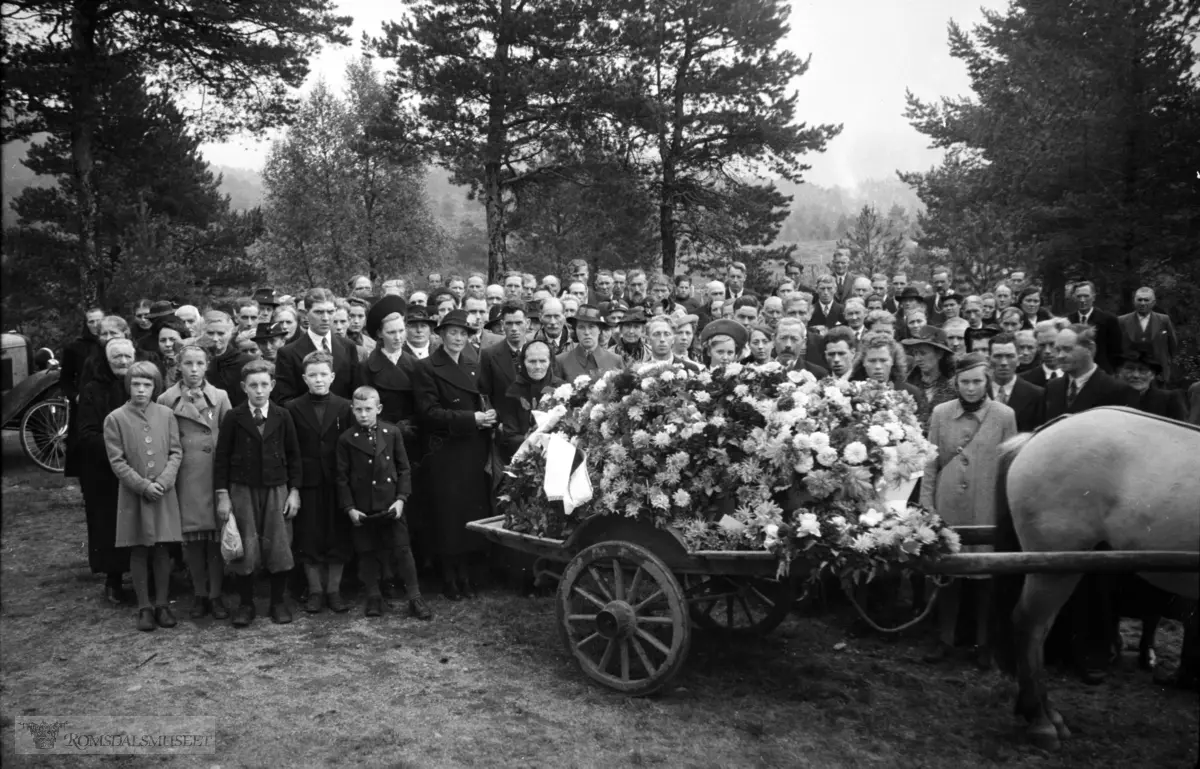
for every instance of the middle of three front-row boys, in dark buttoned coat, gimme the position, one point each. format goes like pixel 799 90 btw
pixel 321 534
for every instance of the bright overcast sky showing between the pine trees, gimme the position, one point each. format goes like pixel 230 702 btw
pixel 866 53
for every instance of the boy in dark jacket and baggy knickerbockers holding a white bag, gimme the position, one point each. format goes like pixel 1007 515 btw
pixel 257 477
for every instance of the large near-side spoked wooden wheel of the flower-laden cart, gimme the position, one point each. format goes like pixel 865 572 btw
pixel 623 616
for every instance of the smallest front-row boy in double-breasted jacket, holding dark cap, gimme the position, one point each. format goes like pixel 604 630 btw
pixel 374 484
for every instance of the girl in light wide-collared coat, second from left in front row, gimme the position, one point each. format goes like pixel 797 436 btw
pixel 199 410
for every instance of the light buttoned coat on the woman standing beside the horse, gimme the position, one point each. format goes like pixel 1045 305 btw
pixel 961 478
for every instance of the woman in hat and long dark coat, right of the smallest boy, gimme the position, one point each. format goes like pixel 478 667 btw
pixel 455 430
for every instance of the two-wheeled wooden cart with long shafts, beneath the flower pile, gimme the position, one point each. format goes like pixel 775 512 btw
pixel 629 593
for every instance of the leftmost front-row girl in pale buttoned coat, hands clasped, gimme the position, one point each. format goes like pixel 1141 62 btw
pixel 142 440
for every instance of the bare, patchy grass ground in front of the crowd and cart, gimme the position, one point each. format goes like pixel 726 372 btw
pixel 488 684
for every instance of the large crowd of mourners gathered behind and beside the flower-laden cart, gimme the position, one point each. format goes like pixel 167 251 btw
pixel 369 429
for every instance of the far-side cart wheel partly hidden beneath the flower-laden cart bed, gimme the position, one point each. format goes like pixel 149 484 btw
pixel 740 606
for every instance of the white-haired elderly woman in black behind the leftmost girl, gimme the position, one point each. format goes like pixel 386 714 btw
pixel 100 398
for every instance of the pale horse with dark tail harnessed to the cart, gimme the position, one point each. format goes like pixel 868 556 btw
pixel 1108 478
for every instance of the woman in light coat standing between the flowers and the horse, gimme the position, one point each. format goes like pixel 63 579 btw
pixel 961 483
